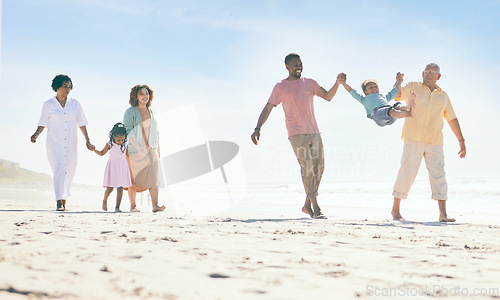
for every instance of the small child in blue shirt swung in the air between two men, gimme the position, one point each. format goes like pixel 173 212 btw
pixel 377 105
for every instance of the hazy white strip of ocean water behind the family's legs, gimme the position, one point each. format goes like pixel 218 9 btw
pixel 470 200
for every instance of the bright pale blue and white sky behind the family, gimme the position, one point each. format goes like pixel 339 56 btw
pixel 224 57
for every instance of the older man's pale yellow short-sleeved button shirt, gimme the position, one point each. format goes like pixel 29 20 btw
pixel 431 108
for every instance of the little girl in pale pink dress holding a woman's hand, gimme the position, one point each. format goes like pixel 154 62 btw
pixel 117 173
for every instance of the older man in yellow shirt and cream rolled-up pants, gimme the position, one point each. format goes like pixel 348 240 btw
pixel 423 137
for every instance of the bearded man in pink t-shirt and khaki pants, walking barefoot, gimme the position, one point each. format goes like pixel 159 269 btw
pixel 296 95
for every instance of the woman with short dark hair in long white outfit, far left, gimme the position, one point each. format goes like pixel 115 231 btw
pixel 62 116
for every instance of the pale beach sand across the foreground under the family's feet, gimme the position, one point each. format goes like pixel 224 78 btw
pixel 90 254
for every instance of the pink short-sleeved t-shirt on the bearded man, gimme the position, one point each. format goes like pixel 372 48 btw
pixel 296 96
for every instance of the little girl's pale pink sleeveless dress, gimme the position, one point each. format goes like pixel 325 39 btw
pixel 117 173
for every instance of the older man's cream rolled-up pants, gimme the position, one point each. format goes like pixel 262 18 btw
pixel 410 163
